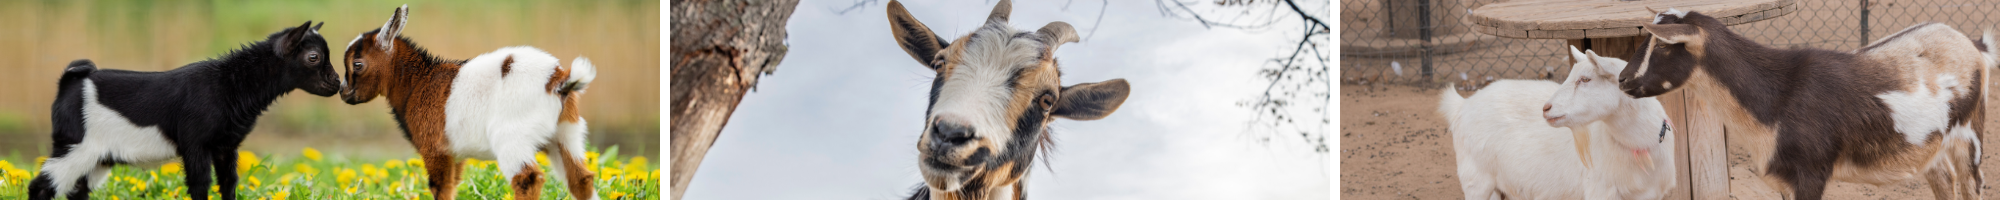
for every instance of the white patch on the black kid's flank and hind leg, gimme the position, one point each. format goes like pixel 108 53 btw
pixel 107 137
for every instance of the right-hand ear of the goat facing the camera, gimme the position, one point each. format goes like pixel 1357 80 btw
pixel 1093 101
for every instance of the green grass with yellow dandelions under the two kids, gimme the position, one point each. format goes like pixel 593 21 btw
pixel 315 177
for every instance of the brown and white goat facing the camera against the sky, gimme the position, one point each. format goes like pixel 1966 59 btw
pixel 991 103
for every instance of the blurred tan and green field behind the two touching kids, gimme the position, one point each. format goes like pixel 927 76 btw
pixel 39 37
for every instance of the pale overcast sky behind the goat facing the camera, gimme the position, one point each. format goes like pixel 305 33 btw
pixel 843 115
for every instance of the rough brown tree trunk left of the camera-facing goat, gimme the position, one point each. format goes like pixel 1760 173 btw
pixel 717 53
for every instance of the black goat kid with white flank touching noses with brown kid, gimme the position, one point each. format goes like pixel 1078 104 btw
pixel 199 113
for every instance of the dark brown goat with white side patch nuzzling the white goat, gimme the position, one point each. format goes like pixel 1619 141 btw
pixel 1901 109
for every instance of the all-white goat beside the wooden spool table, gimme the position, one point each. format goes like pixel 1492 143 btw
pixel 1511 149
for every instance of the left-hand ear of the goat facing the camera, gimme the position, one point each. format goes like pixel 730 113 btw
pixel 915 37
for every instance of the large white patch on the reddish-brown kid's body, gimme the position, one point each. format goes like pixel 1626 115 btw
pixel 503 119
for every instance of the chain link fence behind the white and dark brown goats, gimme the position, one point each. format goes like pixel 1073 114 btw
pixel 1385 43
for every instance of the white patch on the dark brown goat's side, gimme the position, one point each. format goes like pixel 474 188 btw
pixel 1923 111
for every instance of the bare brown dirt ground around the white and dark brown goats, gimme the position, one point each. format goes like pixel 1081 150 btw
pixel 1395 147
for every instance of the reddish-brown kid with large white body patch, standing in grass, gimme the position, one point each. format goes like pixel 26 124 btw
pixel 503 105
